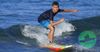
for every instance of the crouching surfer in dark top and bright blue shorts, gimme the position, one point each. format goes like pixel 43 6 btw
pixel 46 19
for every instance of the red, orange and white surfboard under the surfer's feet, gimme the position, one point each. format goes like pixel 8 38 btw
pixel 58 48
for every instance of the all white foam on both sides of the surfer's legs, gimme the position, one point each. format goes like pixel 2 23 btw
pixel 40 33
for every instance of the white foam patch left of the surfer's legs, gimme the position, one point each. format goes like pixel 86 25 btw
pixel 35 32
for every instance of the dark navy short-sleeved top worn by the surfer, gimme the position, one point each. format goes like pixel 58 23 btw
pixel 48 15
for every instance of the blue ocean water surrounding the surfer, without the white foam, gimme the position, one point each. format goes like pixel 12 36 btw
pixel 16 14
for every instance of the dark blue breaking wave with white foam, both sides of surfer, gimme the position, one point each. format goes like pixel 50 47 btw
pixel 34 35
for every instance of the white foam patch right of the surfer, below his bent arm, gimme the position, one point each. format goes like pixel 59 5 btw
pixel 64 27
